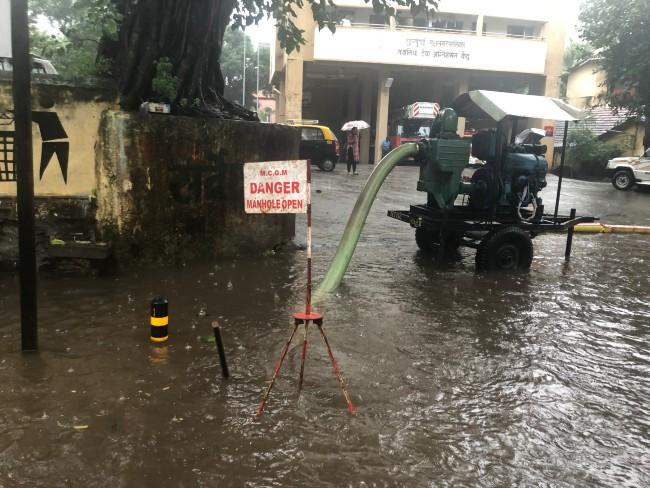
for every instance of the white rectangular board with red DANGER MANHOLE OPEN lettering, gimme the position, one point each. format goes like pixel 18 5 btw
pixel 275 187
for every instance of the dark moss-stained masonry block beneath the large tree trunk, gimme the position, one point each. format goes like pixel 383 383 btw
pixel 171 188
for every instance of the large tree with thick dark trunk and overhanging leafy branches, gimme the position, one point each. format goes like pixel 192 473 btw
pixel 190 34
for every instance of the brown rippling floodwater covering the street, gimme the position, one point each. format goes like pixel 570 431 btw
pixel 459 379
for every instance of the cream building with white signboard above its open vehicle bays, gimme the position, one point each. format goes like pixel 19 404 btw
pixel 373 65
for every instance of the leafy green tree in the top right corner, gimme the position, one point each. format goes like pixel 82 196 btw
pixel 619 32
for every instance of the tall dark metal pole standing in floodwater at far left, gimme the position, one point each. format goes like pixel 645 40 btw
pixel 21 90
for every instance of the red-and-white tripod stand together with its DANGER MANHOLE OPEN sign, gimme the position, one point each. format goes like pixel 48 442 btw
pixel 285 187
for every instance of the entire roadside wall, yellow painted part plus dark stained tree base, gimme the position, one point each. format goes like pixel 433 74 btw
pixel 159 188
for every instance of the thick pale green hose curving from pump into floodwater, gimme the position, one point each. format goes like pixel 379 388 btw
pixel 357 220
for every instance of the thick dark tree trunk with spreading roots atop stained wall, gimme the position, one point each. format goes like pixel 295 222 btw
pixel 187 32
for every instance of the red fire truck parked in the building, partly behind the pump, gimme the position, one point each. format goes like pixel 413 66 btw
pixel 411 123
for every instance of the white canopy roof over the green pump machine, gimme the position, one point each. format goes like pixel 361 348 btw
pixel 499 105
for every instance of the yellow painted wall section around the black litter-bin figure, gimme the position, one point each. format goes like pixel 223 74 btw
pixel 80 110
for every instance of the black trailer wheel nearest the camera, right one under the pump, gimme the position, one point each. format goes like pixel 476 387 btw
pixel 506 249
